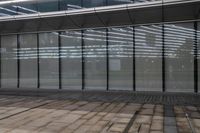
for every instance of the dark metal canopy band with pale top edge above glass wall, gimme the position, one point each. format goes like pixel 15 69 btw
pixel 128 14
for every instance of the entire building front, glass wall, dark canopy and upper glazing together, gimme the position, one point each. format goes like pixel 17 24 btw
pixel 159 52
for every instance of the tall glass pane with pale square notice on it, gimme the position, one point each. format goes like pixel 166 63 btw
pixel 120 58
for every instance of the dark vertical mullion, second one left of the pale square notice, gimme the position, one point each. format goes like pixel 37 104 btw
pixel 83 59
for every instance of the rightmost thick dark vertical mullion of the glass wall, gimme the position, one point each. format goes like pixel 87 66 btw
pixel 195 59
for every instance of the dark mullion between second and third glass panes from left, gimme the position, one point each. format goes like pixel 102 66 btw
pixel 38 61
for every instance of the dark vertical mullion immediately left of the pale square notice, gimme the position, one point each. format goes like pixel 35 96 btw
pixel 107 59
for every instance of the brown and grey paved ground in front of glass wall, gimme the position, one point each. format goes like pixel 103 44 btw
pixel 100 112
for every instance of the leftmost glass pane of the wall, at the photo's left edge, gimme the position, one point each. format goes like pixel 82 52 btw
pixel 9 61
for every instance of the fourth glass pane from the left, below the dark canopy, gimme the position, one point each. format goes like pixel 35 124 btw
pixel 71 57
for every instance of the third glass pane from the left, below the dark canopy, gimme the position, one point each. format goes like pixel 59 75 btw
pixel 48 54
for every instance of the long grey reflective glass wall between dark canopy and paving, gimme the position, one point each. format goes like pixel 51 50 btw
pixel 140 58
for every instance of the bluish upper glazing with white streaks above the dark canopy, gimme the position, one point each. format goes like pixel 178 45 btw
pixel 15 7
